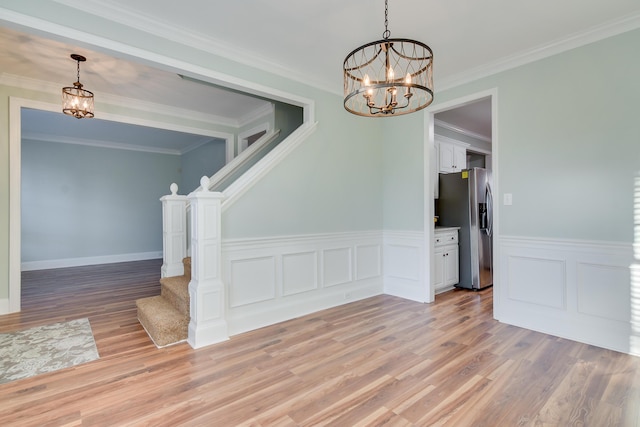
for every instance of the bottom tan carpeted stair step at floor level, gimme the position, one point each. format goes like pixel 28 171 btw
pixel 162 321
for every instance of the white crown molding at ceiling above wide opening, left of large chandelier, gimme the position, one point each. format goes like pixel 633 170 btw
pixel 187 37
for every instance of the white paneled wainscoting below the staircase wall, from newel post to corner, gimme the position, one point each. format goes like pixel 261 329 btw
pixel 270 280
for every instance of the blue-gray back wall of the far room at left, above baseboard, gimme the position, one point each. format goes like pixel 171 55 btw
pixel 80 201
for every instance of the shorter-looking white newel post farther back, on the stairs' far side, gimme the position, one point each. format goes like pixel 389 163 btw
pixel 174 233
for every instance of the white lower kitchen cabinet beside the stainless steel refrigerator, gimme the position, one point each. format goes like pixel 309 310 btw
pixel 446 258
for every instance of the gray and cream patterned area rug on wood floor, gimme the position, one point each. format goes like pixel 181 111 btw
pixel 45 349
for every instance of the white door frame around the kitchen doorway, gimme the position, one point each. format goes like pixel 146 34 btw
pixel 429 182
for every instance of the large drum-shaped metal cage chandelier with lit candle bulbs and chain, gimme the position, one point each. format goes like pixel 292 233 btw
pixel 388 77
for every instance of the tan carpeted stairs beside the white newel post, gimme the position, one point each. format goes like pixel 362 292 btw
pixel 166 317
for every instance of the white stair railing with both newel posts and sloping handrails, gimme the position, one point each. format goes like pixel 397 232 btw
pixel 193 224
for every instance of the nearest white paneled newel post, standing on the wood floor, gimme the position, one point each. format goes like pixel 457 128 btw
pixel 208 324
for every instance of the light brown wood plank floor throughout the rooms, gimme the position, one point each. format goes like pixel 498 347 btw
pixel 380 361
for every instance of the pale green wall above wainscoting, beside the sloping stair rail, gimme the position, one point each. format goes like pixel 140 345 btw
pixel 332 182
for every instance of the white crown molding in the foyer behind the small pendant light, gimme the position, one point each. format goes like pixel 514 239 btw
pixel 120 101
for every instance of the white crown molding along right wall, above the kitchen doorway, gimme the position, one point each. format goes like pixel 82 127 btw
pixel 599 32
